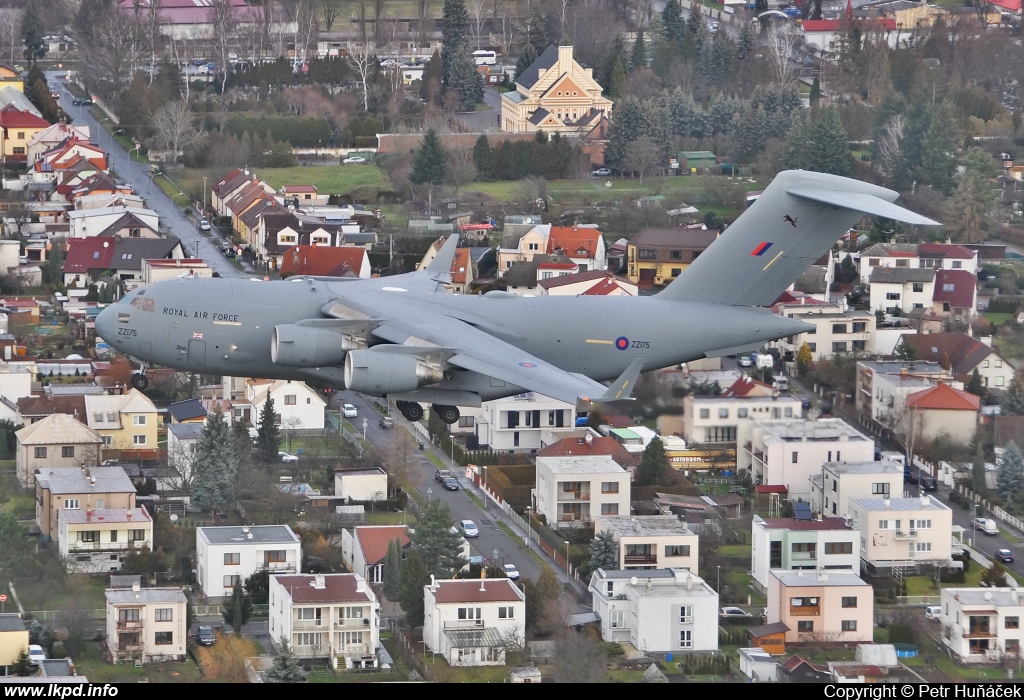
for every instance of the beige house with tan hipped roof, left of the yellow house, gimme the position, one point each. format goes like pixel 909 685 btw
pixel 56 442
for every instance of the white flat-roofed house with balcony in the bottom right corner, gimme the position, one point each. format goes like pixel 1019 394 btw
pixel 983 626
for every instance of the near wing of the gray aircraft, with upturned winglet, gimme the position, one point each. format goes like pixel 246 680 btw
pixel 463 346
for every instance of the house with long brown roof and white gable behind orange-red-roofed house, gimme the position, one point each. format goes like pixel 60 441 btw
pixel 963 355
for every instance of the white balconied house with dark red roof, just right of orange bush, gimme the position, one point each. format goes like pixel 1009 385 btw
pixel 327 617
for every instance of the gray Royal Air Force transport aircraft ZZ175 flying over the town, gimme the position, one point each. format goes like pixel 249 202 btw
pixel 408 339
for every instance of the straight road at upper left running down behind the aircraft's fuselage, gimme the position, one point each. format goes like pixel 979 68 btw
pixel 173 220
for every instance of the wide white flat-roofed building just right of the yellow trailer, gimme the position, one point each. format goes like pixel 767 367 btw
pixel 789 453
